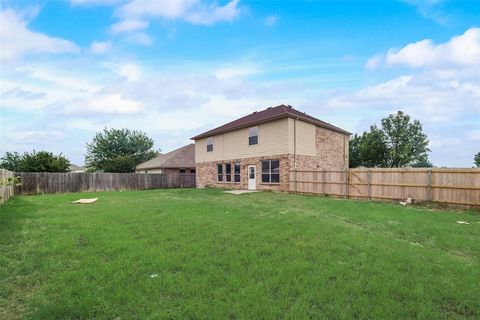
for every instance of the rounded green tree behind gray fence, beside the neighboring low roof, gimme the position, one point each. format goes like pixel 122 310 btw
pixel 118 150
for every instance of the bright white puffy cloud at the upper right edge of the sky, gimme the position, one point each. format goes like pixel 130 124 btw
pixel 462 50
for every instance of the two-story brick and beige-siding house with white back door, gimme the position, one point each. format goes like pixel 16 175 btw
pixel 263 150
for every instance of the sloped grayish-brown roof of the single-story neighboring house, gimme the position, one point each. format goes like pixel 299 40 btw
pixel 183 157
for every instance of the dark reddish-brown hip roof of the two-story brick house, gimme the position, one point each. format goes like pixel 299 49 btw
pixel 269 114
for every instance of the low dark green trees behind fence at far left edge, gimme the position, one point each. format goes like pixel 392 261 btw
pixel 42 161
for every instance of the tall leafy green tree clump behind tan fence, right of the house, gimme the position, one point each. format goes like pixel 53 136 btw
pixel 399 143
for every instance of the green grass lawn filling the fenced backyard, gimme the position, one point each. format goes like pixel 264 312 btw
pixel 219 256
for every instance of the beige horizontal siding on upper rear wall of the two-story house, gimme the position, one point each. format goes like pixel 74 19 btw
pixel 273 139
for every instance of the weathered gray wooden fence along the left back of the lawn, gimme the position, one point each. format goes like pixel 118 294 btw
pixel 48 182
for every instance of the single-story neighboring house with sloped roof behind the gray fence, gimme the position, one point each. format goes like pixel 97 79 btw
pixel 181 160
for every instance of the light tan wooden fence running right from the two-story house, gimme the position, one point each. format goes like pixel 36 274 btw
pixel 450 186
